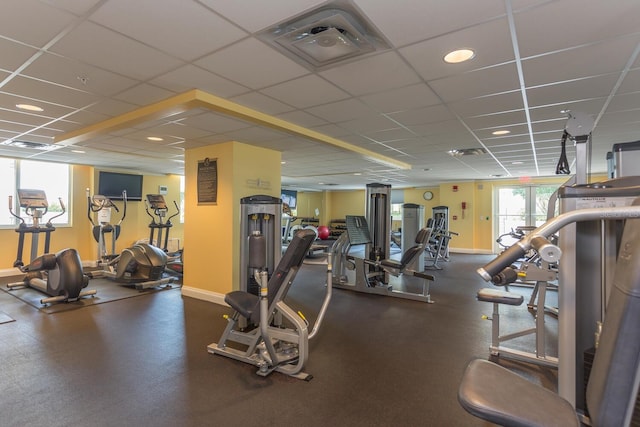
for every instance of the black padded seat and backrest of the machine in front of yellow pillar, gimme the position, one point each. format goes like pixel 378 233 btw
pixel 248 304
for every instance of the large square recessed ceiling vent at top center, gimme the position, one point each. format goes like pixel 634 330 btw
pixel 326 36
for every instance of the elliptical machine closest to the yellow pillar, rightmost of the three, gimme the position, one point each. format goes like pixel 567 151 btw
pixel 157 203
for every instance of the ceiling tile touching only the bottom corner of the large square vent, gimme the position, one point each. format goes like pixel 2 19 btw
pixel 305 92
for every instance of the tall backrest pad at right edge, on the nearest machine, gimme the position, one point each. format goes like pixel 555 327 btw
pixel 613 383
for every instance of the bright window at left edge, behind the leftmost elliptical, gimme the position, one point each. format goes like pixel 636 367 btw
pixel 53 178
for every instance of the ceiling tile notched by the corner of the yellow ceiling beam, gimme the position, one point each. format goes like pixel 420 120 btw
pixel 191 77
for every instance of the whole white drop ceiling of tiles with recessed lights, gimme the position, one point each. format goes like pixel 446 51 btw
pixel 388 116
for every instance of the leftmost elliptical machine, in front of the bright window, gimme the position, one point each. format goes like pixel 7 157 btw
pixel 58 275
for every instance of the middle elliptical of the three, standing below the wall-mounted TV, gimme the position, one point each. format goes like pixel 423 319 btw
pixel 141 265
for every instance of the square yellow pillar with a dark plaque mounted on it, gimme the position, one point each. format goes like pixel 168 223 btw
pixel 213 230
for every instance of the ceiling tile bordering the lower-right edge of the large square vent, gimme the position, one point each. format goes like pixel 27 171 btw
pixel 372 74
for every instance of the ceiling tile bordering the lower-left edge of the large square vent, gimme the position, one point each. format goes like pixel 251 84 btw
pixel 240 61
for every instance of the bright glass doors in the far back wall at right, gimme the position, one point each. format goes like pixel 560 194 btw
pixel 520 206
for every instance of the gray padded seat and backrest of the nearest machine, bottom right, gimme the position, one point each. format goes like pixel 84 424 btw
pixel 498 395
